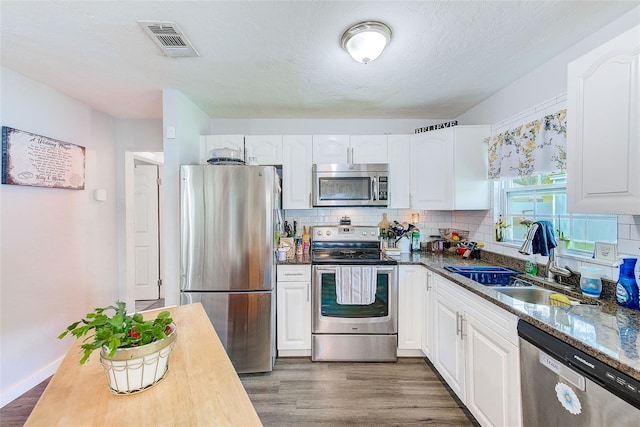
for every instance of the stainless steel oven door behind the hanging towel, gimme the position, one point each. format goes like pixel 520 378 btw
pixel 330 317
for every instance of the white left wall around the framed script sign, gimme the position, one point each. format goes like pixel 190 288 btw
pixel 58 246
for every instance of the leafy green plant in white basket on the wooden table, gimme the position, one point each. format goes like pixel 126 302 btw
pixel 134 352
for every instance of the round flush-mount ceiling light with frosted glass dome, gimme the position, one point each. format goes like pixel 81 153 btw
pixel 366 41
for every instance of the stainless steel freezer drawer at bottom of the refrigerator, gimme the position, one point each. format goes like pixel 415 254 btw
pixel 244 322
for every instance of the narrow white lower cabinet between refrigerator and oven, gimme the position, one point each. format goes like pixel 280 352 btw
pixel 293 310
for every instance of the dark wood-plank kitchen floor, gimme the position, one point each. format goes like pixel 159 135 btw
pixel 301 393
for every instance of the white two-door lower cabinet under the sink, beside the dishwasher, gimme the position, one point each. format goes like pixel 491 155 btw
pixel 475 349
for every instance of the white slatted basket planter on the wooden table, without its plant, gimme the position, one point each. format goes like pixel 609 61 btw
pixel 132 370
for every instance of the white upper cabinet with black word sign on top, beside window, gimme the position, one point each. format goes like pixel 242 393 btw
pixel 449 169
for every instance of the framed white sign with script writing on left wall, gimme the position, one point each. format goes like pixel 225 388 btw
pixel 35 160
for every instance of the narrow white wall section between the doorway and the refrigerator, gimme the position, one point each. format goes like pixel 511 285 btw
pixel 189 122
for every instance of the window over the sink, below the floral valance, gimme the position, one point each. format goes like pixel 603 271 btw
pixel 543 197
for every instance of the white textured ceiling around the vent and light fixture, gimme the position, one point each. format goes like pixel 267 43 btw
pixel 282 59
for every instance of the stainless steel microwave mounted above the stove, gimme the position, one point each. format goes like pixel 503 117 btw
pixel 351 185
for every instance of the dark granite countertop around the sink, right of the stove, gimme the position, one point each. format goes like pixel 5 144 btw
pixel 594 329
